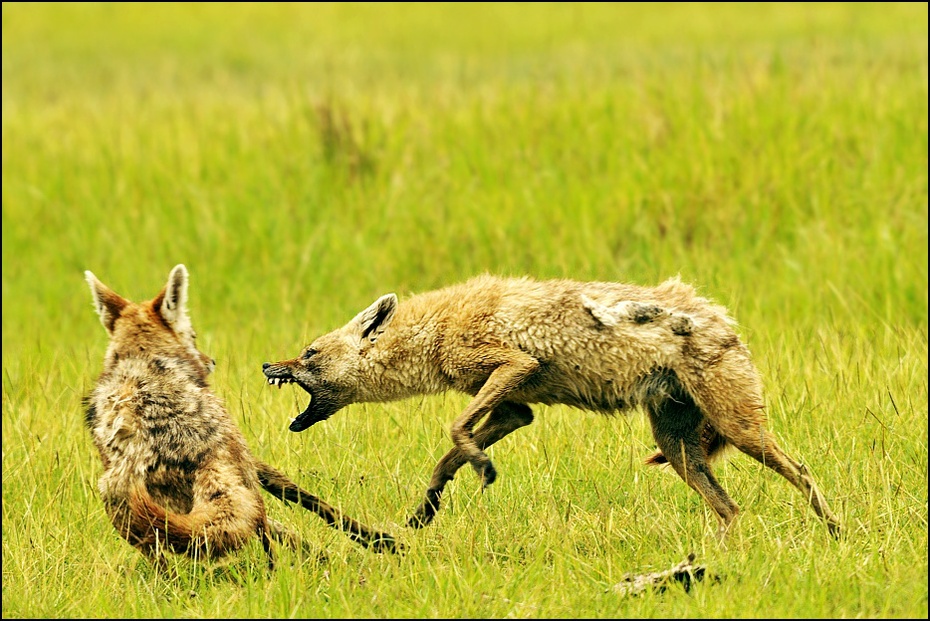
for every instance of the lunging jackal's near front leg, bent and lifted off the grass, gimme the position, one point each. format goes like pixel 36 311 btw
pixel 514 368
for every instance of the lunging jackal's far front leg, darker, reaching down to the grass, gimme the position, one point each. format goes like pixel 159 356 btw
pixel 503 419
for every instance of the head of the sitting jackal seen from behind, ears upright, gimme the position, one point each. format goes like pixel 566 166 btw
pixel 158 328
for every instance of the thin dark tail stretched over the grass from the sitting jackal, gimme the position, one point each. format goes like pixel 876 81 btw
pixel 278 485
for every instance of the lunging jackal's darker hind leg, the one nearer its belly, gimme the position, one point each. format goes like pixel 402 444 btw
pixel 677 424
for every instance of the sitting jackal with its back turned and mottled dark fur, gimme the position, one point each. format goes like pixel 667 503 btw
pixel 177 473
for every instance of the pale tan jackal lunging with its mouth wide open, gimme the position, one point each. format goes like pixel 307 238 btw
pixel 598 346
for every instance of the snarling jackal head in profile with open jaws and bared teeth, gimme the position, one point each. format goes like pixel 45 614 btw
pixel 331 368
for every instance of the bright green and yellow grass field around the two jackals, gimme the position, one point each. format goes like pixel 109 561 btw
pixel 302 160
